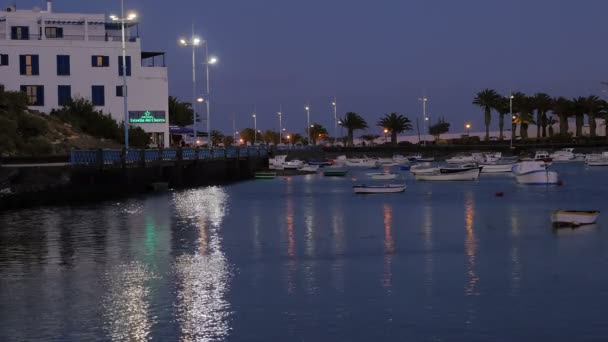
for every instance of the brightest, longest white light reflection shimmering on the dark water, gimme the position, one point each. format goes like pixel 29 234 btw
pixel 203 279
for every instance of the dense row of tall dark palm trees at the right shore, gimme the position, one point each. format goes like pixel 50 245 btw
pixel 536 109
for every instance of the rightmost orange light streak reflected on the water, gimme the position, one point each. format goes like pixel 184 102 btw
pixel 470 245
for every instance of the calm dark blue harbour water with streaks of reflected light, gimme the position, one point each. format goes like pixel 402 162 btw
pixel 304 259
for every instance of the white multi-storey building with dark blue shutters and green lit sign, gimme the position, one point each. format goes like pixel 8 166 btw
pixel 57 56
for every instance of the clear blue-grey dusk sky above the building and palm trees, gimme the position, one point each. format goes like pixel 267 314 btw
pixel 374 56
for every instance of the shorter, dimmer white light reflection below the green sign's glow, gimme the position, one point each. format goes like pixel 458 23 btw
pixel 126 305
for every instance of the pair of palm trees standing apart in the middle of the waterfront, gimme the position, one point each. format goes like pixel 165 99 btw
pixel 394 123
